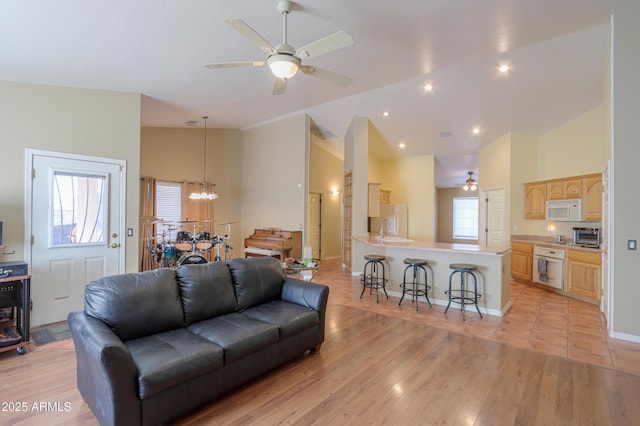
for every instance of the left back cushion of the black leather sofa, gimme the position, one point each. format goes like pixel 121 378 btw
pixel 136 304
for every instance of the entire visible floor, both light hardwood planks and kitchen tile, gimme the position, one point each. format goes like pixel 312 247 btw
pixel 387 364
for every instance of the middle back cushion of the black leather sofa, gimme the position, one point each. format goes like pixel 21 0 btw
pixel 207 291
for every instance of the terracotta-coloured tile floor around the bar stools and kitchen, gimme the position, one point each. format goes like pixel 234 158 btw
pixel 538 320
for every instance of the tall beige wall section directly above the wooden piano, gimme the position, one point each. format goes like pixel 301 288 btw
pixel 274 162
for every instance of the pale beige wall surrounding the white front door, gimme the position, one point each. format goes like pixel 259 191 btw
pixel 76 121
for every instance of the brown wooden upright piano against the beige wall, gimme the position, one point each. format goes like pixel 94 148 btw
pixel 274 242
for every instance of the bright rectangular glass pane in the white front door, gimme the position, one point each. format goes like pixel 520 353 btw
pixel 79 205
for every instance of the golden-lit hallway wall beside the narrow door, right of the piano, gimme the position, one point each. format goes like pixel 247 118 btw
pixel 325 174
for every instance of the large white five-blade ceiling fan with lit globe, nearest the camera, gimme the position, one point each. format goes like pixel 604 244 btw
pixel 284 60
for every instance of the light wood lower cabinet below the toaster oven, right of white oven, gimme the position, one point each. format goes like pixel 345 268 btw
pixel 584 274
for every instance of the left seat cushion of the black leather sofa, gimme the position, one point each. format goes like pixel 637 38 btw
pixel 167 359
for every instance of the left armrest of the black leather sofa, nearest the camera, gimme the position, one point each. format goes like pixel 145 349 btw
pixel 106 374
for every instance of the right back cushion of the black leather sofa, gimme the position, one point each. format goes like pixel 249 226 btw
pixel 257 280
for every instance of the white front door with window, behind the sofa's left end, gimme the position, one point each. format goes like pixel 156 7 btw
pixel 75 217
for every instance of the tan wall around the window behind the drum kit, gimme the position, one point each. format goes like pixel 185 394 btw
pixel 175 154
